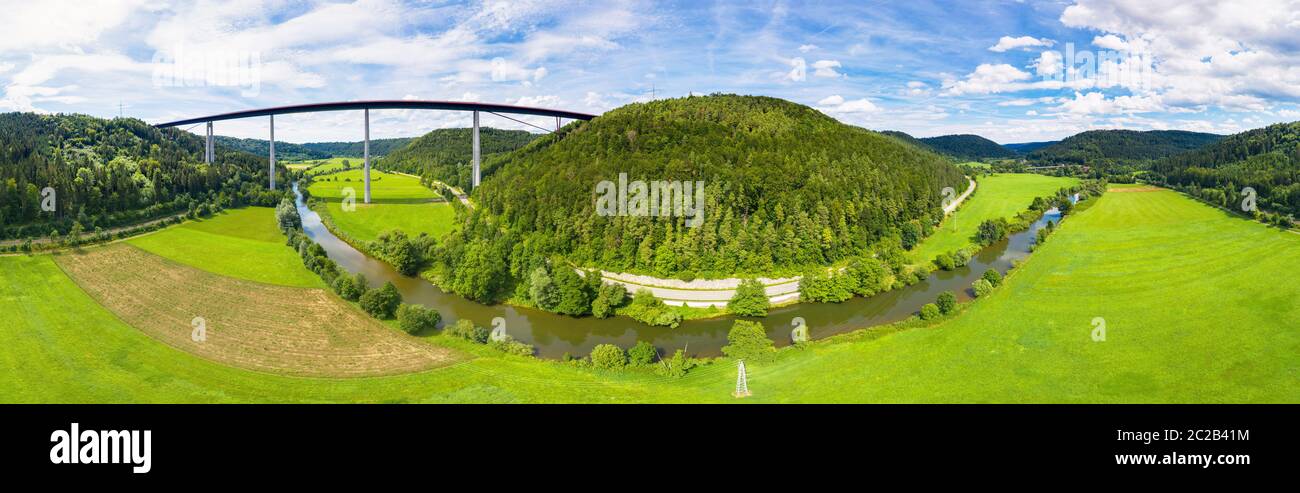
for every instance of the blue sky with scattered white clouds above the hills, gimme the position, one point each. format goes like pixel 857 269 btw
pixel 999 70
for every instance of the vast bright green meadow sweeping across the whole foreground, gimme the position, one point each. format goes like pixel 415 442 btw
pixel 1188 295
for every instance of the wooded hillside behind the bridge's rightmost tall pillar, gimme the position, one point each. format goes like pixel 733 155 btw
pixel 447 154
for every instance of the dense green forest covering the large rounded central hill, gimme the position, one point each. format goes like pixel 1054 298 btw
pixel 785 188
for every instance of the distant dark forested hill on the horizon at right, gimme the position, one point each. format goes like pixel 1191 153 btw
pixel 1121 146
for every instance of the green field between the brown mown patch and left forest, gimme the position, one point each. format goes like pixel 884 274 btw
pixel 242 244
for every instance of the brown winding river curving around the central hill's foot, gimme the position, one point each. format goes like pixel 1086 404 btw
pixel 558 335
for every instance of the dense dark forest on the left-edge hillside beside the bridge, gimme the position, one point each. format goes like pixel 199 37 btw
pixel 110 174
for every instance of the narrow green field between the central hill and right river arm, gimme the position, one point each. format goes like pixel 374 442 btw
pixel 999 196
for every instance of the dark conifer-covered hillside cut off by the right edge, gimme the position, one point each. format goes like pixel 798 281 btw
pixel 1266 159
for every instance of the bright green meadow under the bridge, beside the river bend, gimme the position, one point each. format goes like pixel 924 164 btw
pixel 397 202
